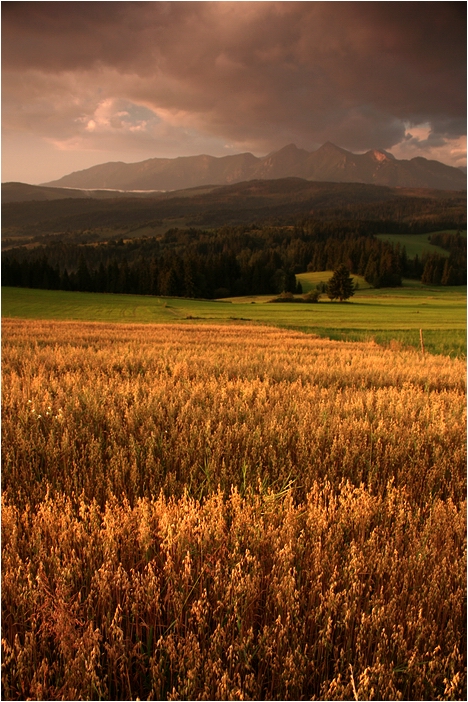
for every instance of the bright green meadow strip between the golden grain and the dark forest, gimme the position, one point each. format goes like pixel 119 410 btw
pixel 388 316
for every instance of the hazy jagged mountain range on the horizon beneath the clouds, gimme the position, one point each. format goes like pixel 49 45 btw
pixel 329 163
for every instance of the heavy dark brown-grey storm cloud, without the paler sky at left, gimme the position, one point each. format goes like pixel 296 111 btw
pixel 257 73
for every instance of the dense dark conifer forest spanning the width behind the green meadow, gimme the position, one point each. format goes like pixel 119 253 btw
pixel 240 260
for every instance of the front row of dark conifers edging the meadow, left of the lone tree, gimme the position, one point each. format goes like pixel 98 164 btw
pixel 130 268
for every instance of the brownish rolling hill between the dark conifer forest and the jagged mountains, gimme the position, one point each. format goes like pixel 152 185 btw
pixel 282 201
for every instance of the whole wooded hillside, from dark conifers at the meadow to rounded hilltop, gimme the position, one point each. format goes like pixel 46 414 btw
pixel 250 238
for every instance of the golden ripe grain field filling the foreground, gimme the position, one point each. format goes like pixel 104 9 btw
pixel 230 513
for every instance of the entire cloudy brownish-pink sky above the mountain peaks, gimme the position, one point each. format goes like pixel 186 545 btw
pixel 85 83
